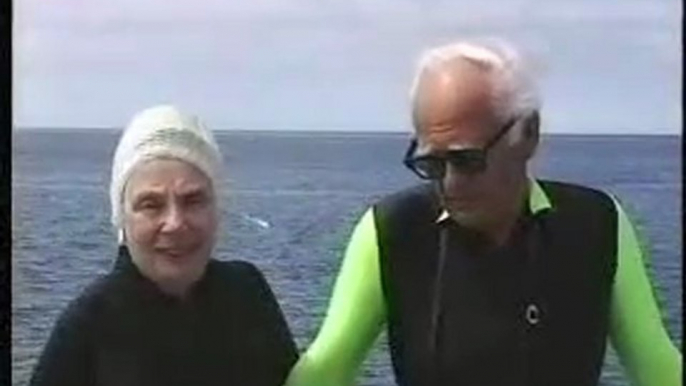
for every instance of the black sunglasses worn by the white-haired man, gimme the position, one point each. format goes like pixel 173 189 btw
pixel 467 161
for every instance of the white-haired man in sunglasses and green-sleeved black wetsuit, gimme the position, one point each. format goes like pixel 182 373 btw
pixel 485 275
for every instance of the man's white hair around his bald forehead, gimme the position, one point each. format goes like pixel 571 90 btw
pixel 515 92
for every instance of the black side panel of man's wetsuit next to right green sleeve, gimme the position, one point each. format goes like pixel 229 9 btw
pixel 577 267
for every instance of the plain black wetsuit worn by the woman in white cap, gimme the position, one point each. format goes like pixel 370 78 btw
pixel 124 331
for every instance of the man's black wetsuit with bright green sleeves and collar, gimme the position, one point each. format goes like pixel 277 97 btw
pixel 583 271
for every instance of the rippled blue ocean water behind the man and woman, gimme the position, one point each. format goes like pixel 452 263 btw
pixel 291 200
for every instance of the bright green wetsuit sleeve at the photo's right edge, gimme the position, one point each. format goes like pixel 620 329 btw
pixel 636 329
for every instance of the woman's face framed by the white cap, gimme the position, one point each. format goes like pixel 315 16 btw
pixel 170 222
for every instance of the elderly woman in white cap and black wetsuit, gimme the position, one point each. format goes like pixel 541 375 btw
pixel 168 314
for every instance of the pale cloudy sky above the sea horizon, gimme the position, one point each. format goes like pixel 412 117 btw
pixel 604 66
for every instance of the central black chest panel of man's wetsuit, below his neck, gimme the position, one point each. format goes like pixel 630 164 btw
pixel 480 314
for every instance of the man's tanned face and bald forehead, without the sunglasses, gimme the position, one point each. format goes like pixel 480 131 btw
pixel 454 111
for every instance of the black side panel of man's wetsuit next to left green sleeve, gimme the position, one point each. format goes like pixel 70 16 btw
pixel 413 247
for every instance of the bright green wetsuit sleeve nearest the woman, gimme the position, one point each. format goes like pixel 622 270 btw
pixel 354 319
